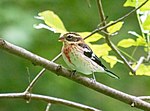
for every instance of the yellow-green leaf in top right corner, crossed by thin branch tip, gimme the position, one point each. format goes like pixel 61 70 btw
pixel 136 3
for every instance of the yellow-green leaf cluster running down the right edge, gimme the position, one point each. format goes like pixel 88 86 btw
pixel 141 40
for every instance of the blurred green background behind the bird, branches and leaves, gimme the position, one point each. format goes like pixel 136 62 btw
pixel 16 26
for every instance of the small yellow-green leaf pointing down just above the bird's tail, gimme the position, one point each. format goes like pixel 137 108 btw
pixel 112 60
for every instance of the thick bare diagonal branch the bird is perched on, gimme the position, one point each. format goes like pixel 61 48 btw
pixel 57 69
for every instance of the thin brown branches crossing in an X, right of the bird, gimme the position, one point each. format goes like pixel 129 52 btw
pixel 105 26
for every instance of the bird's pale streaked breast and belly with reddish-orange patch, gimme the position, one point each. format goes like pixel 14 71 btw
pixel 76 60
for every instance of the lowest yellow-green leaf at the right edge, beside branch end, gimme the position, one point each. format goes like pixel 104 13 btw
pixel 143 70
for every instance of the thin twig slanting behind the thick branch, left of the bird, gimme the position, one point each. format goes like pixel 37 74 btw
pixel 39 75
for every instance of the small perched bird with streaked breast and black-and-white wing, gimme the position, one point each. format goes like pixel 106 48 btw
pixel 79 56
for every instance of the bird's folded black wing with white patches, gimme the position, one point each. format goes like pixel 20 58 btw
pixel 89 53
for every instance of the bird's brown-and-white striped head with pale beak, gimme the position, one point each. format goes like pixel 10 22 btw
pixel 70 37
